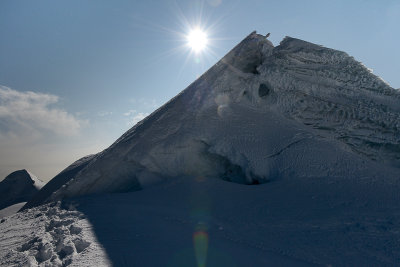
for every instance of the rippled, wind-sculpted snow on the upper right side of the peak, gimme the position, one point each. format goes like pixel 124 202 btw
pixel 330 91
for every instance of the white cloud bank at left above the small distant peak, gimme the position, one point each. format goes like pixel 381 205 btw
pixel 34 114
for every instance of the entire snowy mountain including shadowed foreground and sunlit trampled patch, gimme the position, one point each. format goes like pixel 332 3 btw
pixel 276 156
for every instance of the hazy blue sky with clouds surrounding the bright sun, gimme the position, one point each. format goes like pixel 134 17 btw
pixel 75 75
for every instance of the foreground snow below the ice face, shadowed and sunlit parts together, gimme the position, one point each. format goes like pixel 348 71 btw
pixel 292 223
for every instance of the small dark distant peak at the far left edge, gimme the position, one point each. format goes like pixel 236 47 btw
pixel 19 186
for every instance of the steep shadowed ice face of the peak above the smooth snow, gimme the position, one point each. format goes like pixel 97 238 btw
pixel 262 113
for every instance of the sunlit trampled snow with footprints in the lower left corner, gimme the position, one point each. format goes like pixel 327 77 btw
pixel 56 238
